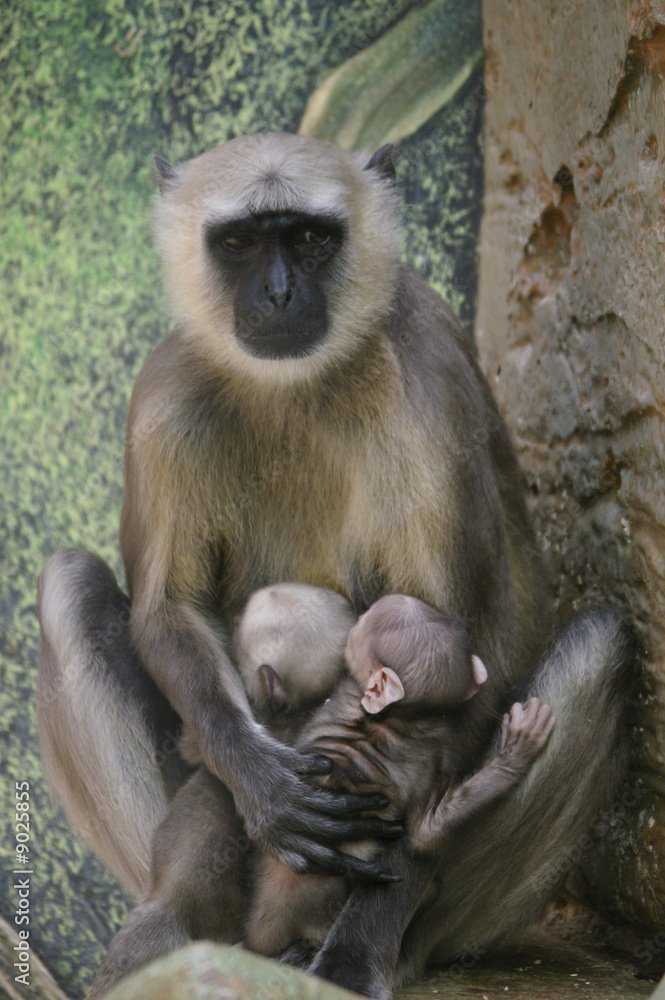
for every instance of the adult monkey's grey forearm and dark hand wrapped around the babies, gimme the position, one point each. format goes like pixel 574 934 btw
pixel 290 819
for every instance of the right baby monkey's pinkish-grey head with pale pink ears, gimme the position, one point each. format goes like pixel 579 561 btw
pixel 403 649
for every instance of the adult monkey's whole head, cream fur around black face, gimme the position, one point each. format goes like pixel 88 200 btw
pixel 280 253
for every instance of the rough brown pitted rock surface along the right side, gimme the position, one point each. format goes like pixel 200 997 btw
pixel 571 333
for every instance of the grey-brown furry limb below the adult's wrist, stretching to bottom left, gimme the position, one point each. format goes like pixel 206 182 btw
pixel 199 889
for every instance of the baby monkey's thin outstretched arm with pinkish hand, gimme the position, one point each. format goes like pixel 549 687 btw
pixel 524 732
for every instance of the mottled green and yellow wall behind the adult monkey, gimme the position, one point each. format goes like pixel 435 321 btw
pixel 89 92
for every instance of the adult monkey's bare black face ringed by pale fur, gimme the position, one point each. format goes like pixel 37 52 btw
pixel 279 268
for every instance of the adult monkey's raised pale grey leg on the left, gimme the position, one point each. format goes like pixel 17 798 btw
pixel 108 737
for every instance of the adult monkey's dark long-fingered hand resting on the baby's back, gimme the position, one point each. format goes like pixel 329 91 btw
pixel 300 825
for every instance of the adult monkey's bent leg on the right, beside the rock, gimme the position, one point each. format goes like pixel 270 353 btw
pixel 499 874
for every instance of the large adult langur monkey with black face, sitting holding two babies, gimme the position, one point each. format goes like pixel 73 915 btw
pixel 318 416
